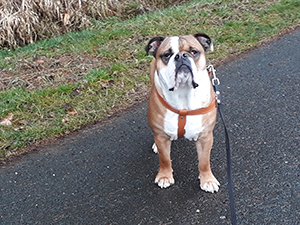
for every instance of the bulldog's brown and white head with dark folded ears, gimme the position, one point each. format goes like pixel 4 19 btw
pixel 180 59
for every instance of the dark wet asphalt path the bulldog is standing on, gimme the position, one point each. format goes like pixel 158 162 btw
pixel 104 174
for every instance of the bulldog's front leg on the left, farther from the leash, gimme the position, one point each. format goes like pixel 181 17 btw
pixel 164 177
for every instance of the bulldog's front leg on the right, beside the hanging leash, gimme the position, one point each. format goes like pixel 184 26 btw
pixel 208 182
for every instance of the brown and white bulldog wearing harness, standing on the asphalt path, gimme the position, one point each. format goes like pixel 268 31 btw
pixel 182 102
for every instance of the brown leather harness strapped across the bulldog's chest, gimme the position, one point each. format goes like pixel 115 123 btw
pixel 183 113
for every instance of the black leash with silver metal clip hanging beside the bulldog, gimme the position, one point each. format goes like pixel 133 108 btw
pixel 216 82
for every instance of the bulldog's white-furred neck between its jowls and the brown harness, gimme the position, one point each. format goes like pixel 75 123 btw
pixel 185 97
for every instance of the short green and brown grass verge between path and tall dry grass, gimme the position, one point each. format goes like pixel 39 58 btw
pixel 120 76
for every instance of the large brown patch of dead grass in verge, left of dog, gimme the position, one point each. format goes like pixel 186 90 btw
pixel 41 71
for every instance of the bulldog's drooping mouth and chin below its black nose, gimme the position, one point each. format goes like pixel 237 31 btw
pixel 184 76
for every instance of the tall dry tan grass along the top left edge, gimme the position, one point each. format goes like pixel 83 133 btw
pixel 25 21
